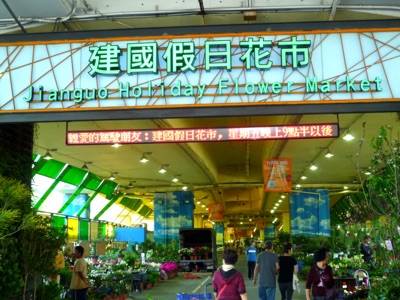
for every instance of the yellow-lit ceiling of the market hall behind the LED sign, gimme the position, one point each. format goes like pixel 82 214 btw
pixel 228 172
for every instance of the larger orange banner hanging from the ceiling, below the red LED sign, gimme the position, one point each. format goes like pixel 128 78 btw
pixel 277 175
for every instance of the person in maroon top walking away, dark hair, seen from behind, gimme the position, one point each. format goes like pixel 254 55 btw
pixel 227 282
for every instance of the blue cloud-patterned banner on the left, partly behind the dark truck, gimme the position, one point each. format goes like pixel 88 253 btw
pixel 172 211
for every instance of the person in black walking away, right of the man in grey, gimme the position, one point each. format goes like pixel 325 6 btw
pixel 287 267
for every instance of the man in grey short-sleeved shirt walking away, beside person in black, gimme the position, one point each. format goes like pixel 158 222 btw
pixel 267 267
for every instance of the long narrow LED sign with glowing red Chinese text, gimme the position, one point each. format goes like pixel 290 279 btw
pixel 192 135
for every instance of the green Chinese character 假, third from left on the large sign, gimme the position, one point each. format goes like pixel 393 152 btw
pixel 180 56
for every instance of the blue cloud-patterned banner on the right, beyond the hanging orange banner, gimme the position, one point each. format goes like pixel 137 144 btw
pixel 310 212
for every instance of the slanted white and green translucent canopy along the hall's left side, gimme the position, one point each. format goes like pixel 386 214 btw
pixel 64 189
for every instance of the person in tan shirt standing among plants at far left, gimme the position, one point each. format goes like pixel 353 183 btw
pixel 79 282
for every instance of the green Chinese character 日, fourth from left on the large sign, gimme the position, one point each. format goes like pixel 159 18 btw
pixel 218 54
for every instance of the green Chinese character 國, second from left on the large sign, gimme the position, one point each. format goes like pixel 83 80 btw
pixel 142 57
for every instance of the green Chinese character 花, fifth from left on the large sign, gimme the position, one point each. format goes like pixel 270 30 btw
pixel 254 47
